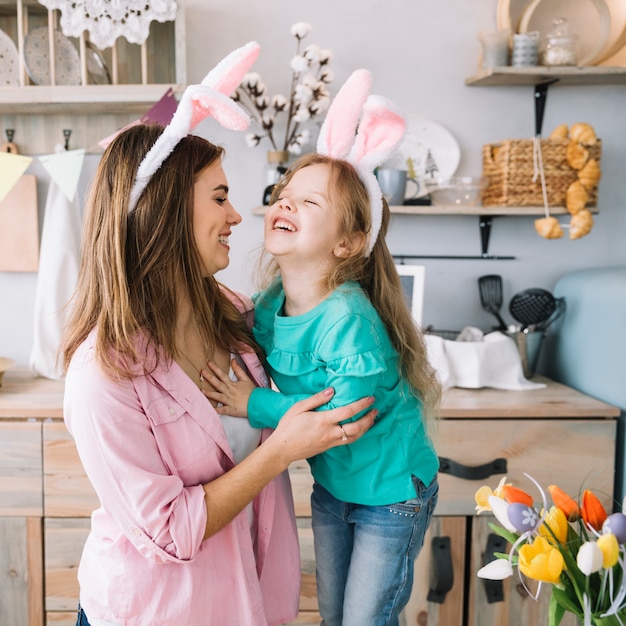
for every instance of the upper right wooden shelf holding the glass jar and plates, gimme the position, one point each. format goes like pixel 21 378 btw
pixel 511 76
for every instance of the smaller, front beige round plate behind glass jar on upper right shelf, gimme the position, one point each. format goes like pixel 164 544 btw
pixel 590 20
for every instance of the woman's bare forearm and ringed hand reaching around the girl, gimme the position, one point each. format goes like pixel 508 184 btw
pixel 300 434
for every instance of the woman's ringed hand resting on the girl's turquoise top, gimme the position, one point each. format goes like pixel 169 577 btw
pixel 303 433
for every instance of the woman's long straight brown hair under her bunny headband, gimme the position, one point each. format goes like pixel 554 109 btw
pixel 136 267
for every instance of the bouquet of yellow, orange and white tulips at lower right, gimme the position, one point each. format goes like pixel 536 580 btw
pixel 577 548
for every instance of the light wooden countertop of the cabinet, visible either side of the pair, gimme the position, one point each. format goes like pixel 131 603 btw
pixel 22 396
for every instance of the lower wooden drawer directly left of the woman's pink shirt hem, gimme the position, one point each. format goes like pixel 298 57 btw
pixel 64 540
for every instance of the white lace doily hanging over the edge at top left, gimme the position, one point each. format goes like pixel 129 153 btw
pixel 106 20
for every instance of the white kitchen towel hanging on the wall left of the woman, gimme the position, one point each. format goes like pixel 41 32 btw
pixel 56 281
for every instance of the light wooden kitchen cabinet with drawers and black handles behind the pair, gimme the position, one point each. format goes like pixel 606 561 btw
pixel 555 434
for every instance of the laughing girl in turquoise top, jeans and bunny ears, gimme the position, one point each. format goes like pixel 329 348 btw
pixel 334 315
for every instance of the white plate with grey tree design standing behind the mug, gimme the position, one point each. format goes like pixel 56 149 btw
pixel 431 148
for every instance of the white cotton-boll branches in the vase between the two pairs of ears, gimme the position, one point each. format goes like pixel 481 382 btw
pixel 308 96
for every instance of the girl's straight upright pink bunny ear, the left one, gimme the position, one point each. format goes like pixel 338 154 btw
pixel 337 132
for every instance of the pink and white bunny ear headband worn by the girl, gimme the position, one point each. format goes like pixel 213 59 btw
pixel 363 131
